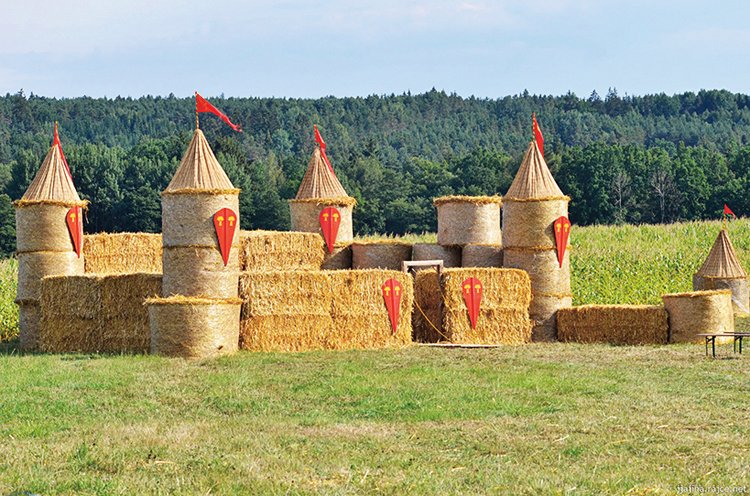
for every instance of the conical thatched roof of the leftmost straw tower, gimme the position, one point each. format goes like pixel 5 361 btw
pixel 52 182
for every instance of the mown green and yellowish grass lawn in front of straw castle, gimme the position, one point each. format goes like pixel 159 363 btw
pixel 536 419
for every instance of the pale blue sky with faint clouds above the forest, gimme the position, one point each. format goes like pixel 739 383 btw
pixel 292 48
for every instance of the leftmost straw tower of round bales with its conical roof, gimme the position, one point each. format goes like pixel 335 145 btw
pixel 43 242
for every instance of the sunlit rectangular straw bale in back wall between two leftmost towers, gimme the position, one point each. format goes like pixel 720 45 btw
pixel 122 253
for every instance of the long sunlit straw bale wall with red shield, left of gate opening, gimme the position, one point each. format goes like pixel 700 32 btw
pixel 299 310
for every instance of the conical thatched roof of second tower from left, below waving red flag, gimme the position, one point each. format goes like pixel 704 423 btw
pixel 199 169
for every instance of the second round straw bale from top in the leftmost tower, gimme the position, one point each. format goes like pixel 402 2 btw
pixel 32 267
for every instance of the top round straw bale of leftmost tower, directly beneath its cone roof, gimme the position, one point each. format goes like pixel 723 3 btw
pixel 42 227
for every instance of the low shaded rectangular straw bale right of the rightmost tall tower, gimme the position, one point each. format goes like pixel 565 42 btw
pixel 614 324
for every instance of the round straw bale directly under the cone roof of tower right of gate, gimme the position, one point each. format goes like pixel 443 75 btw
pixel 530 223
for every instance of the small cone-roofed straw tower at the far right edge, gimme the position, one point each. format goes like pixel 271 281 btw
pixel 722 270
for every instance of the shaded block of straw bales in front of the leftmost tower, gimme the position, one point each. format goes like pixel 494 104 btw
pixel 105 314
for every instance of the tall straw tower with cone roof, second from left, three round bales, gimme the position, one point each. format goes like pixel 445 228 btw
pixel 198 315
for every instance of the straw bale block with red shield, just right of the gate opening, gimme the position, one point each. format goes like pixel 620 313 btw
pixel 504 310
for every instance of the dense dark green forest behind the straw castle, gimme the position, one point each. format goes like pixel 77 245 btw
pixel 652 159
